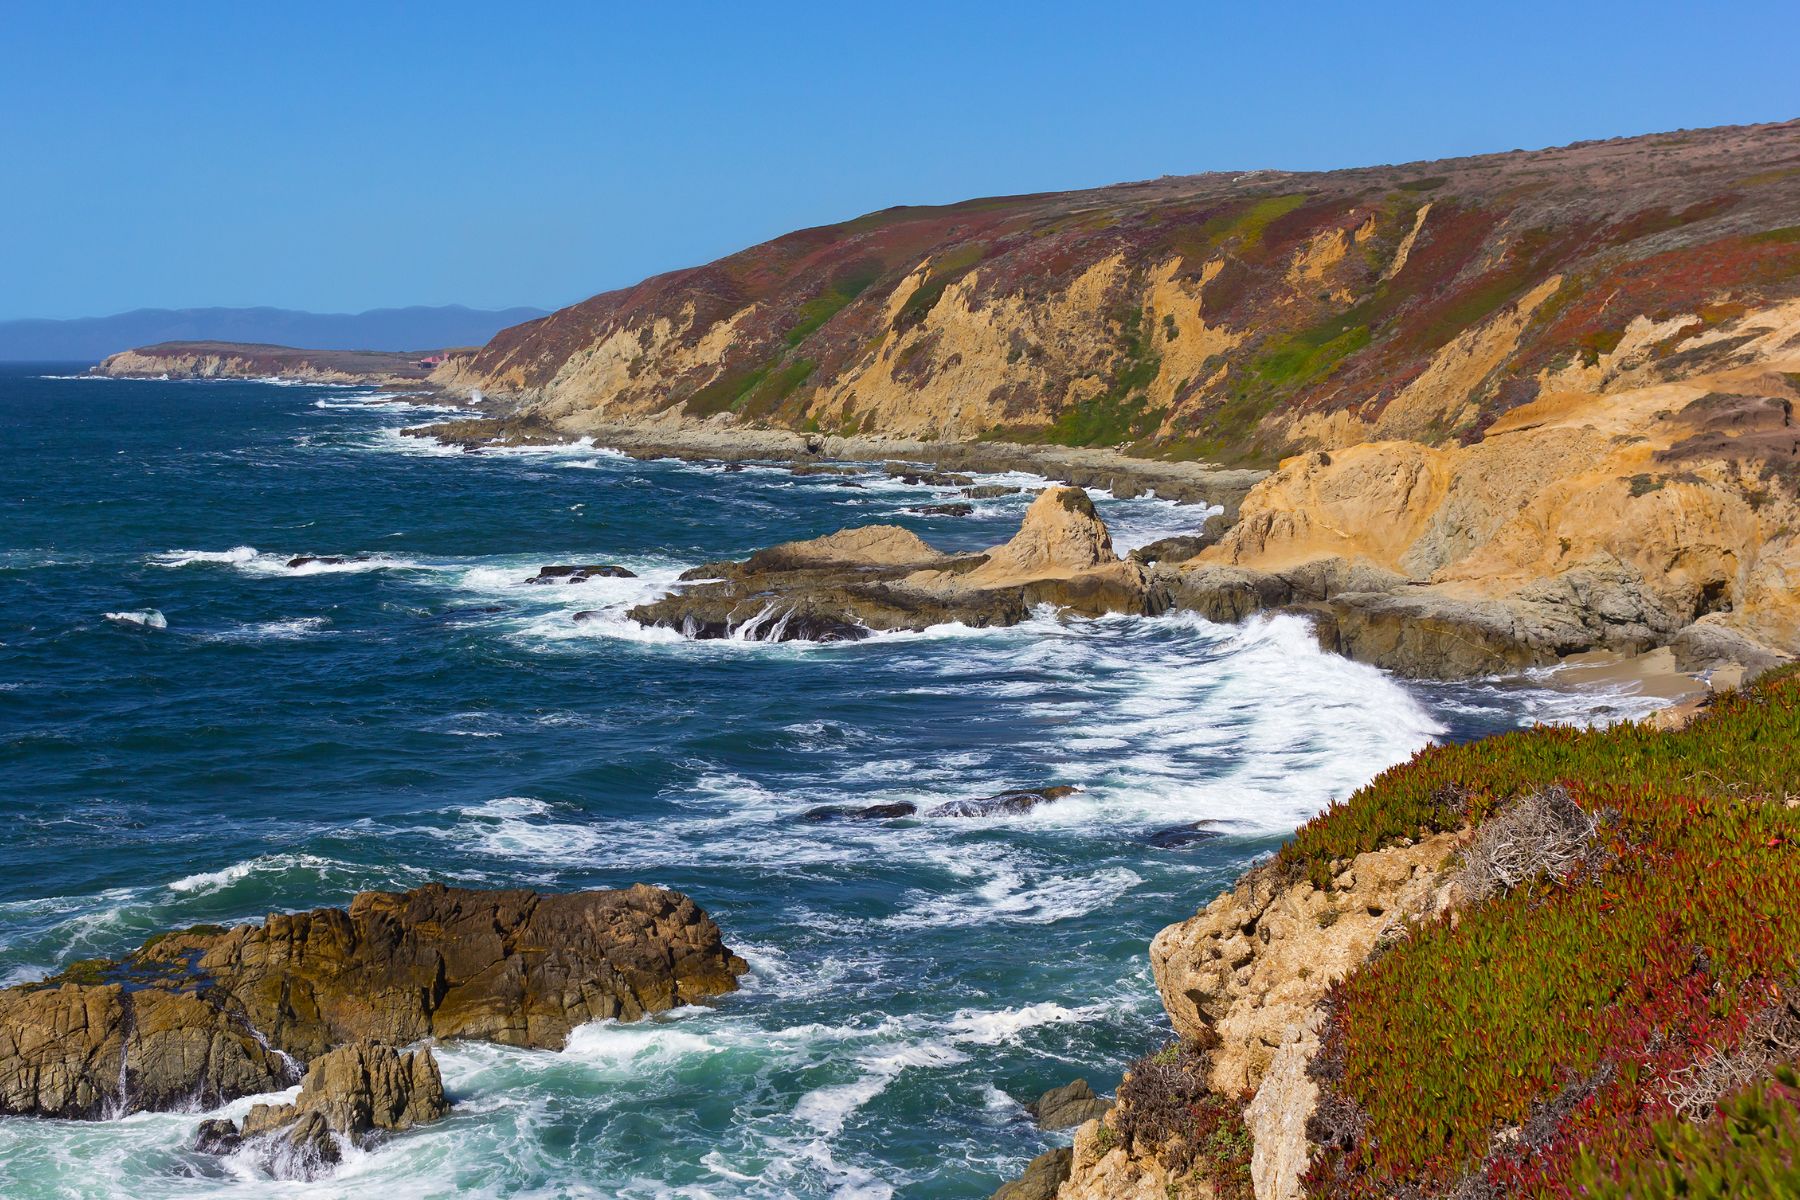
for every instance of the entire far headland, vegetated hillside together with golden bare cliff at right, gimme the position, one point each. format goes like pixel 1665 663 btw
pixel 1502 409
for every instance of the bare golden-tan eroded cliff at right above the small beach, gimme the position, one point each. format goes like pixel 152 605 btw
pixel 1617 510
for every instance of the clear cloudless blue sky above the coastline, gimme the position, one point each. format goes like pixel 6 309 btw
pixel 345 157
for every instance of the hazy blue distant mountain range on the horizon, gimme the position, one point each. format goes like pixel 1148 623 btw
pixel 91 339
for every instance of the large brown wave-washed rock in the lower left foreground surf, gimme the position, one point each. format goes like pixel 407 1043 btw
pixel 217 1014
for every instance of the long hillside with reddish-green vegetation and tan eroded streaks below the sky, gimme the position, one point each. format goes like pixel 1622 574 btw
pixel 1230 318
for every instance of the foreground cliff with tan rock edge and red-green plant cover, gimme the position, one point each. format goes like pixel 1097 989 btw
pixel 1551 963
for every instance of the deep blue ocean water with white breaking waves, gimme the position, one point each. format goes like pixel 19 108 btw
pixel 240 737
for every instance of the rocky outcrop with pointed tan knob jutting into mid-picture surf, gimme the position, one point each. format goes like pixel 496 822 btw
pixel 850 584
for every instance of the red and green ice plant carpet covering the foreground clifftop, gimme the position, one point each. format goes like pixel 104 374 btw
pixel 1590 1030
